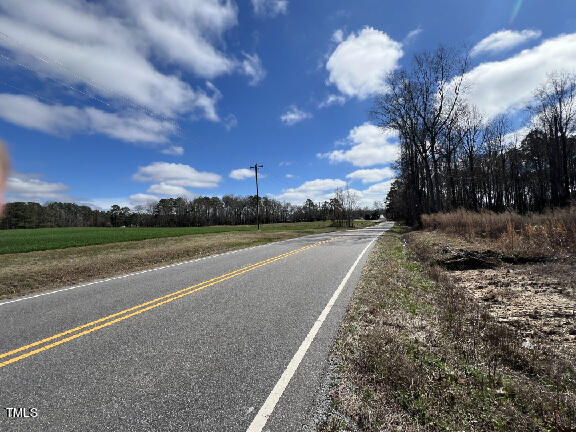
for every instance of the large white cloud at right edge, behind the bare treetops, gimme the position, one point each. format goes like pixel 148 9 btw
pixel 498 87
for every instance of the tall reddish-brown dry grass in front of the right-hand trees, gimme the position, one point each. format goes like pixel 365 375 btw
pixel 547 233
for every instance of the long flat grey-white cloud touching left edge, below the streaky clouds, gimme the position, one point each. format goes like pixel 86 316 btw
pixel 28 112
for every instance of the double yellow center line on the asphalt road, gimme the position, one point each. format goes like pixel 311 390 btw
pixel 39 346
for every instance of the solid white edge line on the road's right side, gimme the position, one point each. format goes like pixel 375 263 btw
pixel 266 410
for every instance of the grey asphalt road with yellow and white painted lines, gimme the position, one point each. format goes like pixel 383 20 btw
pixel 233 342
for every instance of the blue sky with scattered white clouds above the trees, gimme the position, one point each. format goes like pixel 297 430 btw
pixel 126 102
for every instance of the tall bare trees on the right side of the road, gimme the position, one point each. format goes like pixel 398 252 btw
pixel 452 157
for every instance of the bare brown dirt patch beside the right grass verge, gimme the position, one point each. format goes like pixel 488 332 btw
pixel 535 294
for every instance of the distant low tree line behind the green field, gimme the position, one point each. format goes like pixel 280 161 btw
pixel 180 212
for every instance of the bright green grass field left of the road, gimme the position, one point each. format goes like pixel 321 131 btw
pixel 28 240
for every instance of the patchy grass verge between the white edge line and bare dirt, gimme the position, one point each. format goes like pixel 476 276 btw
pixel 418 353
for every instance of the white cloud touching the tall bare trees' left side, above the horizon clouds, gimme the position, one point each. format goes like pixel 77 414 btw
pixel 370 146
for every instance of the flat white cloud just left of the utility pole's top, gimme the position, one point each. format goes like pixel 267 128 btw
pixel 174 174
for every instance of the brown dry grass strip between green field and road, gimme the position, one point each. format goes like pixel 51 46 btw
pixel 25 273
